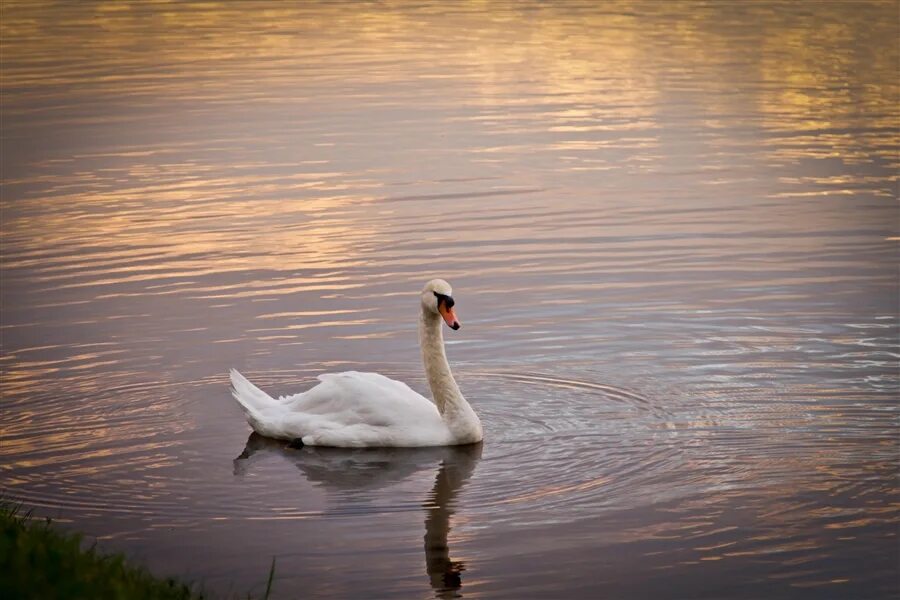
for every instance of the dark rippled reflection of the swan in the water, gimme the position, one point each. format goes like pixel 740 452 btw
pixel 356 470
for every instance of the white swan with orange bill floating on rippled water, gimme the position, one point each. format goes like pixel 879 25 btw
pixel 354 409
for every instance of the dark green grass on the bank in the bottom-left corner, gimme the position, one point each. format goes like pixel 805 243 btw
pixel 37 561
